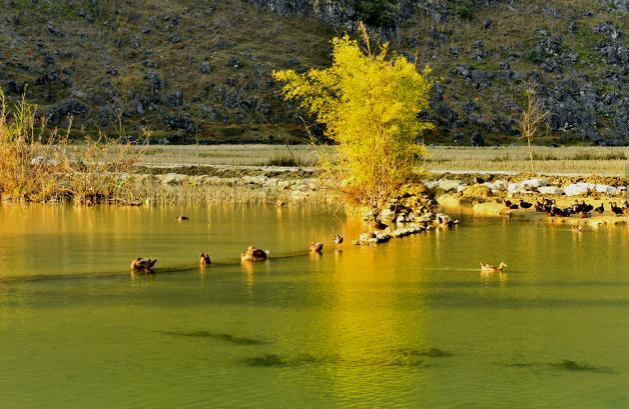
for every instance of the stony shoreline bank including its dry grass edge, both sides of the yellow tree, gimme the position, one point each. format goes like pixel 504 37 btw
pixel 182 183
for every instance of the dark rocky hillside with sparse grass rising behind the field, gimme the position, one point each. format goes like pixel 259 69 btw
pixel 191 70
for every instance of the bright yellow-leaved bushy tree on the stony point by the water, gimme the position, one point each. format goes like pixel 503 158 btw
pixel 370 102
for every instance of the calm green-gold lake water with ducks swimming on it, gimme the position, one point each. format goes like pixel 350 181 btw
pixel 409 324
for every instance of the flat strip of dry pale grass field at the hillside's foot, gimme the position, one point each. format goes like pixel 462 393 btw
pixel 575 160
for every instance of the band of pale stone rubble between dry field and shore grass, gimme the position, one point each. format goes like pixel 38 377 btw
pixel 303 182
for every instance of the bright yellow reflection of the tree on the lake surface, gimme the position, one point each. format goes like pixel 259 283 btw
pixel 363 324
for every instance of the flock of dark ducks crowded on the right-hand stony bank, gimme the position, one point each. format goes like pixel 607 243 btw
pixel 582 210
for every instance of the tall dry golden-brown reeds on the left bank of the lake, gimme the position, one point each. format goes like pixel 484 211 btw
pixel 38 164
